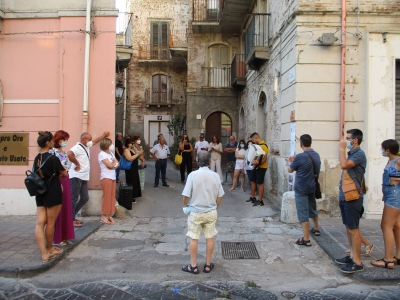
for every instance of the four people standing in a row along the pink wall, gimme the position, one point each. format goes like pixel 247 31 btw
pixel 66 175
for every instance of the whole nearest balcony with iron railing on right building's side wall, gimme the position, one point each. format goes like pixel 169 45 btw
pixel 256 41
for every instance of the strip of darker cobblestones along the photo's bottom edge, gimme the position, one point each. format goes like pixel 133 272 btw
pixel 123 289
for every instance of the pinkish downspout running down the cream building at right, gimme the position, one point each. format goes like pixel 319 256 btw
pixel 343 69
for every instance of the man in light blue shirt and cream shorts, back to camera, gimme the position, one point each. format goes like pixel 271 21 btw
pixel 201 197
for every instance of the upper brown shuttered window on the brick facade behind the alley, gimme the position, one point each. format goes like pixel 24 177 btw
pixel 159 48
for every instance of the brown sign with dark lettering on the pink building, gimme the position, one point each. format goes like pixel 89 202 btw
pixel 14 148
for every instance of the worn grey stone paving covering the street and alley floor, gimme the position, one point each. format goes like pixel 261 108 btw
pixel 146 250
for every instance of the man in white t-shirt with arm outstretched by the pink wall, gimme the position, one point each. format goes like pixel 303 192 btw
pixel 79 173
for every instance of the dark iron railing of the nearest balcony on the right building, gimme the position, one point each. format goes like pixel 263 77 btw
pixel 257 33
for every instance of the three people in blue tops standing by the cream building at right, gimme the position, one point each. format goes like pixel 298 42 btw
pixel 351 191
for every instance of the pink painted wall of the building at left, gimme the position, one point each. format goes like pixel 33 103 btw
pixel 50 67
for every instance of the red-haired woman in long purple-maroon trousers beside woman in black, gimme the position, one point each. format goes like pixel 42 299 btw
pixel 64 230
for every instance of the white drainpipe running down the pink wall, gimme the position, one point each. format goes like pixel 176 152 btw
pixel 85 112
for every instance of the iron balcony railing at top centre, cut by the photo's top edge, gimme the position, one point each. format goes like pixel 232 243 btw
pixel 207 10
